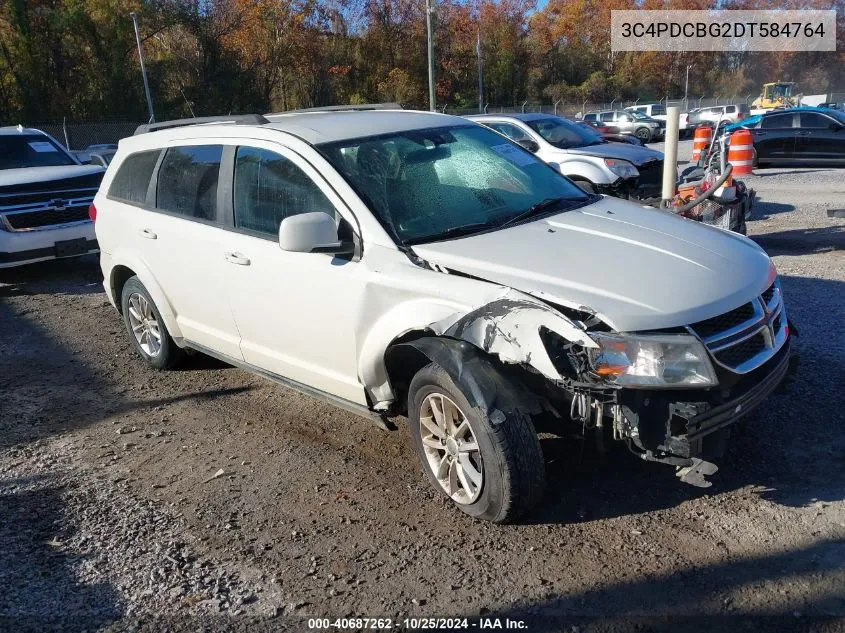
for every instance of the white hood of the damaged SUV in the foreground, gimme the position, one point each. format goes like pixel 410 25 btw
pixel 637 268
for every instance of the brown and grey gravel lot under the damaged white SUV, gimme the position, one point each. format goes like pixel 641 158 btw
pixel 114 514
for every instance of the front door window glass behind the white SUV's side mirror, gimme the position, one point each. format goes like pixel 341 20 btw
pixel 269 188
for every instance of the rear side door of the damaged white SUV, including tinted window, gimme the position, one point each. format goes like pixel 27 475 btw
pixel 183 237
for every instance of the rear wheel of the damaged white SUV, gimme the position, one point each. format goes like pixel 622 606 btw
pixel 146 328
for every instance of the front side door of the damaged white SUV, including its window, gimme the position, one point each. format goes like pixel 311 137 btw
pixel 296 312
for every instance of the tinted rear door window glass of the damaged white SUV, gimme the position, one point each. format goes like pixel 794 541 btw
pixel 187 181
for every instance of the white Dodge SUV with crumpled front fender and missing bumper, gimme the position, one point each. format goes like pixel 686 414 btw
pixel 418 264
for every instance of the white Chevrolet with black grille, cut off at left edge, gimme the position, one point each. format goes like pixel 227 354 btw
pixel 45 195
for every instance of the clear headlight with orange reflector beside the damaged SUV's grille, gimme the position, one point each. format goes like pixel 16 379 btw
pixel 670 360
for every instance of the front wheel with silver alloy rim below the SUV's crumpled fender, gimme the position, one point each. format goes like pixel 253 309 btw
pixel 491 469
